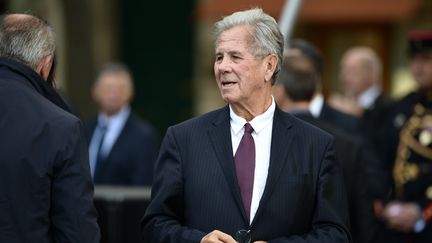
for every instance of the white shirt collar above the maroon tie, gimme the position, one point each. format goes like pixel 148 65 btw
pixel 258 123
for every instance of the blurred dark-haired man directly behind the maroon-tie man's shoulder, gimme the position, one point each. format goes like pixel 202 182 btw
pixel 294 91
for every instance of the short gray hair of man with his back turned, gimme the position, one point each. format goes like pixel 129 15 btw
pixel 26 38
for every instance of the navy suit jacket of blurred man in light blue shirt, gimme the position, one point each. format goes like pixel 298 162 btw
pixel 131 159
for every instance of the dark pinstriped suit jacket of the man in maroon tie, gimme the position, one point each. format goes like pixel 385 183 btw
pixel 196 191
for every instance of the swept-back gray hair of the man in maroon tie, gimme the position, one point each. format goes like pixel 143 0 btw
pixel 267 38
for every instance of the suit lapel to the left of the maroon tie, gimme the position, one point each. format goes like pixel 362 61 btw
pixel 220 136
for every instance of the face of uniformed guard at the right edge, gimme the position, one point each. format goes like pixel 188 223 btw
pixel 421 68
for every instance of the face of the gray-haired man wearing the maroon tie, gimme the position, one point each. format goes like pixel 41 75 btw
pixel 239 74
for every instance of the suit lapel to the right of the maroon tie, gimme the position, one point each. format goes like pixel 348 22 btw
pixel 280 144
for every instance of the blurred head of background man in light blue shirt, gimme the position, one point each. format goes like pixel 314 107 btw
pixel 113 91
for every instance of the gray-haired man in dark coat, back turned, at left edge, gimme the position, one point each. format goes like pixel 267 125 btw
pixel 46 193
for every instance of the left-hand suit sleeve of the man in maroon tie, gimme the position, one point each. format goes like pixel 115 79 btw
pixel 163 219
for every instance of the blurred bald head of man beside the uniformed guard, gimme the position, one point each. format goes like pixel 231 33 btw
pixel 360 69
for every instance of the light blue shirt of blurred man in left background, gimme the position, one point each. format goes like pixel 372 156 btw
pixel 114 125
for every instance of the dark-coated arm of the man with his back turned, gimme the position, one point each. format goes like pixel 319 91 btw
pixel 72 211
